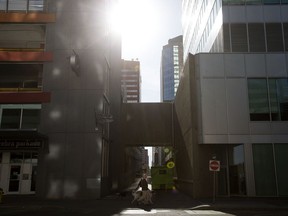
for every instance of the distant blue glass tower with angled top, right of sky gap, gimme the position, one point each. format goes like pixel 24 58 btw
pixel 171 66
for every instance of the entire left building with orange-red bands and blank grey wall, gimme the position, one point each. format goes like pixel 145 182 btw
pixel 59 94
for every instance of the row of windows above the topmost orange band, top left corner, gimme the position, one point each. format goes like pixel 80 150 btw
pixel 23 5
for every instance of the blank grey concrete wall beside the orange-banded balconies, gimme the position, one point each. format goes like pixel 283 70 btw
pixel 72 166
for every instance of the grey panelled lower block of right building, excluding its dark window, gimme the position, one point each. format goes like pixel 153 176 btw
pixel 212 115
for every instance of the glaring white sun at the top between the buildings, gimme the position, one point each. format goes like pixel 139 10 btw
pixel 136 20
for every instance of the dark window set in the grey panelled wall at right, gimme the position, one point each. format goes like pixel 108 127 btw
pixel 268 99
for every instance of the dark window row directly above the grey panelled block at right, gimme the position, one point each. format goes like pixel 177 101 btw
pixel 255 37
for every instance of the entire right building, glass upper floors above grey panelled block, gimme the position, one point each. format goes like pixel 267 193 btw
pixel 232 103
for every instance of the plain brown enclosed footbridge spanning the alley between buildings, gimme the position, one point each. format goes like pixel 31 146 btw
pixel 147 124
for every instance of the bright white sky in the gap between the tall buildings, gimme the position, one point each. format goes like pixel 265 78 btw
pixel 149 26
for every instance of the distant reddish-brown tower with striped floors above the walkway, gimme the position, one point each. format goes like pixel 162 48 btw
pixel 130 81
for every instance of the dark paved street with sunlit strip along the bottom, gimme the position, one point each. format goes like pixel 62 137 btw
pixel 165 203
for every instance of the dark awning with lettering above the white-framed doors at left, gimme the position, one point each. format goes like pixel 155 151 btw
pixel 18 139
